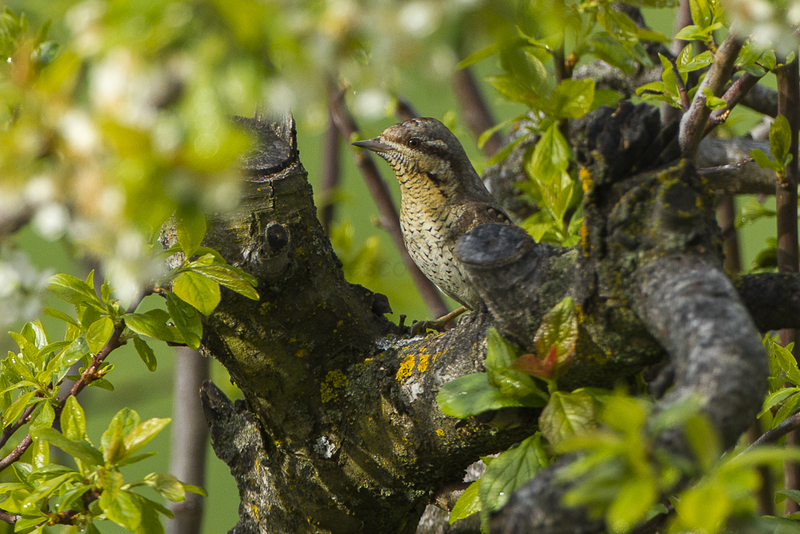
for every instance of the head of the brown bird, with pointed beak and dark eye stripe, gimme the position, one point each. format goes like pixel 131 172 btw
pixel 422 149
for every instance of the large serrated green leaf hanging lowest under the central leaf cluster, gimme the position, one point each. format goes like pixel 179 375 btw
pixel 509 471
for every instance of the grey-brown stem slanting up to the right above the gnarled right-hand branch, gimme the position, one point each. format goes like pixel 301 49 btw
pixel 693 123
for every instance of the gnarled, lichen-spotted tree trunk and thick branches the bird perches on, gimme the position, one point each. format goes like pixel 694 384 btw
pixel 339 430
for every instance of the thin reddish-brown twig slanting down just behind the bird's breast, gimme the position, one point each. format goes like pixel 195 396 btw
pixel 383 200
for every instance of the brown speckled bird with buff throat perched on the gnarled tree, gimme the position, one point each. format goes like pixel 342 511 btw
pixel 442 198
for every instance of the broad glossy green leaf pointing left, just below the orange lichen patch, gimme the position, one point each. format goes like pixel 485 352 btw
pixel 470 395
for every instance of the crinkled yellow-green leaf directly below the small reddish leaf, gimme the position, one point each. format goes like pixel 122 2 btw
pixel 567 415
